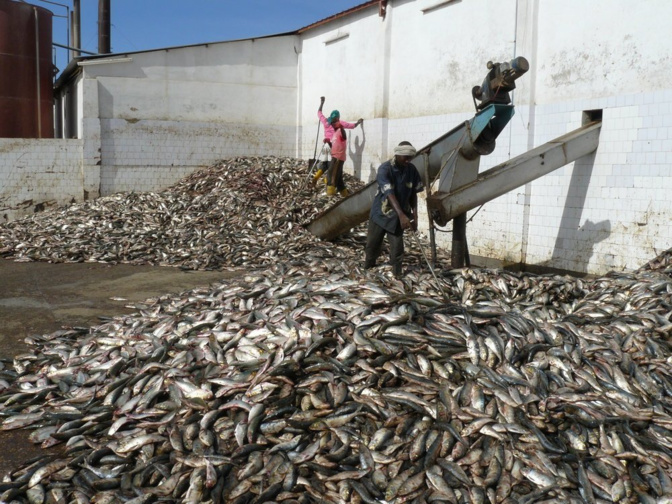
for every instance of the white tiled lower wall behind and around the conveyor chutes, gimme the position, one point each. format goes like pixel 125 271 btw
pixel 608 211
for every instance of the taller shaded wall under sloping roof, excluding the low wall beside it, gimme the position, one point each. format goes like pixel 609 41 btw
pixel 164 113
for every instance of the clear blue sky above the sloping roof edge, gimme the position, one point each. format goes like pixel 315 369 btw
pixel 148 24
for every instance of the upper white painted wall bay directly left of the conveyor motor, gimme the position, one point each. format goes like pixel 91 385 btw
pixel 437 56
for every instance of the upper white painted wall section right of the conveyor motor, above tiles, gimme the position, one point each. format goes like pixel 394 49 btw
pixel 602 48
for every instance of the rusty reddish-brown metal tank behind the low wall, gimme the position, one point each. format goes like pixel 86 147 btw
pixel 26 85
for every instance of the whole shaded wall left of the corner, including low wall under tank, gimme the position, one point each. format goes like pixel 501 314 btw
pixel 145 120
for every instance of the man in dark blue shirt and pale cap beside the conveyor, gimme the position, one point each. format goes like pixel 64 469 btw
pixel 395 203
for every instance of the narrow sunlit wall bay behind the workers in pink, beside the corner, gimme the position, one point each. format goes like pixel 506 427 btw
pixel 345 62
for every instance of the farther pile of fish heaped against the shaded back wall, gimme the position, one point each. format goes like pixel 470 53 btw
pixel 238 212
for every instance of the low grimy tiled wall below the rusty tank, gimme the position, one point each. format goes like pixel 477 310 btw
pixel 37 174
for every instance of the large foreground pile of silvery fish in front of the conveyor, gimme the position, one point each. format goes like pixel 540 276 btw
pixel 313 380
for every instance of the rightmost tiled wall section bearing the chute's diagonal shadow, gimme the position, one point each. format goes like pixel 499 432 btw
pixel 607 211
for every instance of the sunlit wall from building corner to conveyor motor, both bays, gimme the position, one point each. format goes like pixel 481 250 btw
pixel 404 82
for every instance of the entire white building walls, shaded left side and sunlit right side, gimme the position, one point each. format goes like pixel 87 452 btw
pixel 140 121
